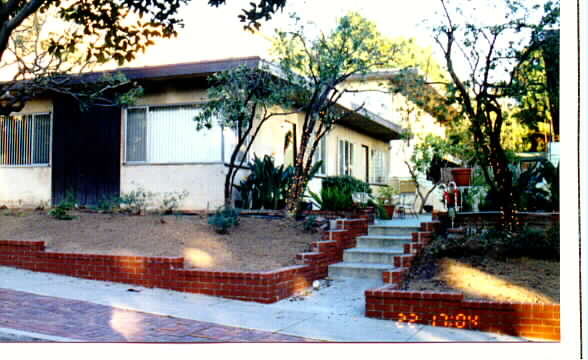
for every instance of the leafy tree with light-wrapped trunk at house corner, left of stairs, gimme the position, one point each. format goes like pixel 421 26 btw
pixel 317 67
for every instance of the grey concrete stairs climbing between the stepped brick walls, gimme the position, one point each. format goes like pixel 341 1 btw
pixel 374 253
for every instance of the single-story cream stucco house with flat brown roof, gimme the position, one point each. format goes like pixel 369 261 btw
pixel 51 147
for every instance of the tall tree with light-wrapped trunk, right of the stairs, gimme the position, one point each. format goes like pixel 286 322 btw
pixel 494 55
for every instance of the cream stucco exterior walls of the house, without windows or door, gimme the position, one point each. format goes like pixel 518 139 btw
pixel 31 186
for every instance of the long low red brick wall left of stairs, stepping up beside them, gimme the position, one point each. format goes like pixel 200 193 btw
pixel 168 273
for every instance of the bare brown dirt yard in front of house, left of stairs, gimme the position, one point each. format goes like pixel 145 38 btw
pixel 255 245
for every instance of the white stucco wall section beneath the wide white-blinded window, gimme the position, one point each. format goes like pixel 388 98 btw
pixel 204 182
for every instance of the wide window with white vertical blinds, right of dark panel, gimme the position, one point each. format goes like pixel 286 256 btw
pixel 167 134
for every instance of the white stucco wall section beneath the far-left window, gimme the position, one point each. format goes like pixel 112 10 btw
pixel 26 187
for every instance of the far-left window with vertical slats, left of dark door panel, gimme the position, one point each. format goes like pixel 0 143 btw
pixel 25 139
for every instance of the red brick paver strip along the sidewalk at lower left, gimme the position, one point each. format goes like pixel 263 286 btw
pixel 89 322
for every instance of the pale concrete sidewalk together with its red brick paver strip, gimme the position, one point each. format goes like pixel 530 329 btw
pixel 95 311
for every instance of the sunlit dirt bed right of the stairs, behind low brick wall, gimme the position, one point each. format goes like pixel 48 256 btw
pixel 512 280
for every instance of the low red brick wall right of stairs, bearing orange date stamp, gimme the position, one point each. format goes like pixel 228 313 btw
pixel 451 310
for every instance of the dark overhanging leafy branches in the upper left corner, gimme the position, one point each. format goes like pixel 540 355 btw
pixel 103 30
